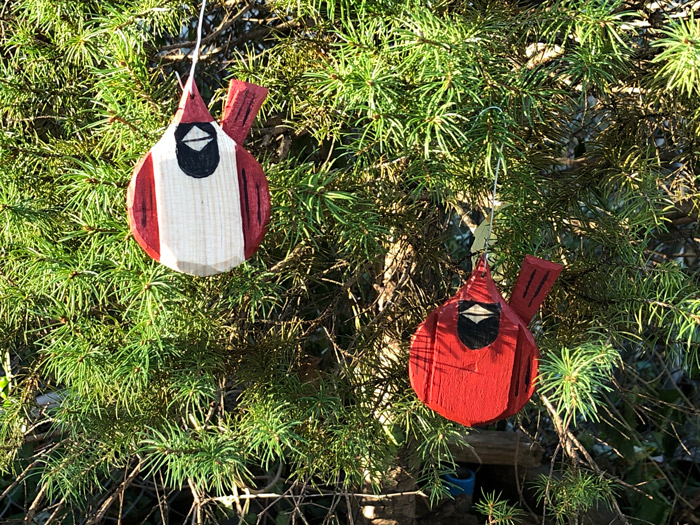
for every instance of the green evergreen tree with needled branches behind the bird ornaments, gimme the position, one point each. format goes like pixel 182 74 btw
pixel 289 373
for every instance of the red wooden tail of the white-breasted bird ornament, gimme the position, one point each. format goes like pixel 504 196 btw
pixel 242 105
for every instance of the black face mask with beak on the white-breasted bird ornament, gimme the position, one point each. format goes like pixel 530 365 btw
pixel 196 148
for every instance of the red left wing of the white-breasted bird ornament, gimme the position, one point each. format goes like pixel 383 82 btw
pixel 142 209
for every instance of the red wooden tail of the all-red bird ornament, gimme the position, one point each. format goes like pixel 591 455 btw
pixel 536 279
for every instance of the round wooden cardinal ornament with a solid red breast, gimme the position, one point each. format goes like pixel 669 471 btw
pixel 473 360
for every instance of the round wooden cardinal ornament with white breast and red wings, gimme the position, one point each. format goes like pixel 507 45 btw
pixel 198 202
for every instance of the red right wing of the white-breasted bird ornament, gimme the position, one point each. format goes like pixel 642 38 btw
pixel 255 200
